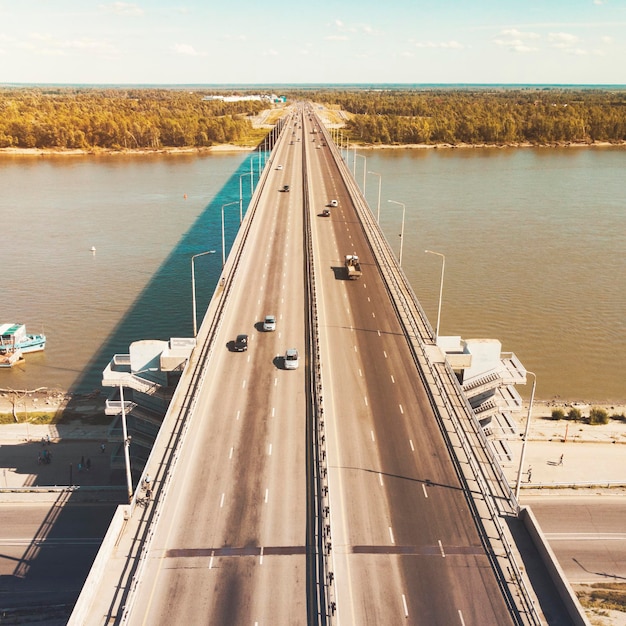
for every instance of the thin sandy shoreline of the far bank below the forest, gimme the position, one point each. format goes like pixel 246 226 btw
pixel 233 148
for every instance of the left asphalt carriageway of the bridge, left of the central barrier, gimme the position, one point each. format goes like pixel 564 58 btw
pixel 230 545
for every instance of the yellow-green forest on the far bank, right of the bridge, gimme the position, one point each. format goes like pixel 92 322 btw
pixel 481 116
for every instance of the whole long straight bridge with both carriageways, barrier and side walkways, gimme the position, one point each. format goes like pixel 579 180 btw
pixel 356 489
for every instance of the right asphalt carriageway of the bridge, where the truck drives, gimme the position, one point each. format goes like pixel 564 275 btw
pixel 406 549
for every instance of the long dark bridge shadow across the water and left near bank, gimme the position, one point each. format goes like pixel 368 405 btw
pixel 46 574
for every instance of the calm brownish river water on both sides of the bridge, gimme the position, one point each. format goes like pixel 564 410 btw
pixel 534 243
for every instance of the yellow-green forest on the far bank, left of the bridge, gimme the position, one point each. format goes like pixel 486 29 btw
pixel 64 118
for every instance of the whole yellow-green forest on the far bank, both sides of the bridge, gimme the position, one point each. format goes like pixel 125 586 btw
pixel 160 118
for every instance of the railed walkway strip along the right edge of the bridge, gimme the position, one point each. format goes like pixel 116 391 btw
pixel 449 404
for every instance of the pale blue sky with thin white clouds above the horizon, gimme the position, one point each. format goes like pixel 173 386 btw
pixel 278 42
